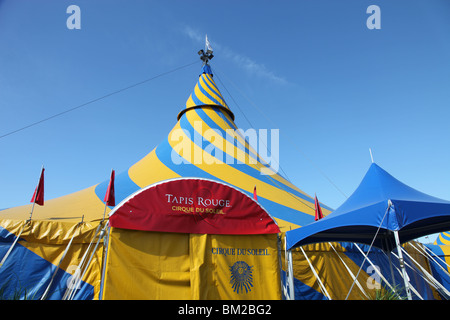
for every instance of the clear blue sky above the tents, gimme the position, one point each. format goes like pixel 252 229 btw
pixel 311 69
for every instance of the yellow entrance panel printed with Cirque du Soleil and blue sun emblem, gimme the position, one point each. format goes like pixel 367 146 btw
pixel 245 267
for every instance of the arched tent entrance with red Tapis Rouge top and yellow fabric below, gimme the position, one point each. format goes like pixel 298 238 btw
pixel 191 238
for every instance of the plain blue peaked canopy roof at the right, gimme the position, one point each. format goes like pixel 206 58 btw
pixel 380 203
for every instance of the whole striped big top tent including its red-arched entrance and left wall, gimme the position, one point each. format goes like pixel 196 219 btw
pixel 79 236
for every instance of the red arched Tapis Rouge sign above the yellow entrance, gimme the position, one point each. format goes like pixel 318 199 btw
pixel 192 205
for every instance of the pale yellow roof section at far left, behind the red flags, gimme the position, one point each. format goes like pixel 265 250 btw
pixel 70 208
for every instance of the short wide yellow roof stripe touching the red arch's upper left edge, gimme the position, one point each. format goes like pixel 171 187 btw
pixel 150 170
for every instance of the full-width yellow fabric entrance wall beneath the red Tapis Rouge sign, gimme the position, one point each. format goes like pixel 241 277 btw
pixel 155 265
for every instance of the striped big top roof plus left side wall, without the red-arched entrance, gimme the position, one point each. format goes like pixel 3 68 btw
pixel 62 235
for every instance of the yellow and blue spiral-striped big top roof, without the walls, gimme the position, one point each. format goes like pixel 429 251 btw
pixel 210 147
